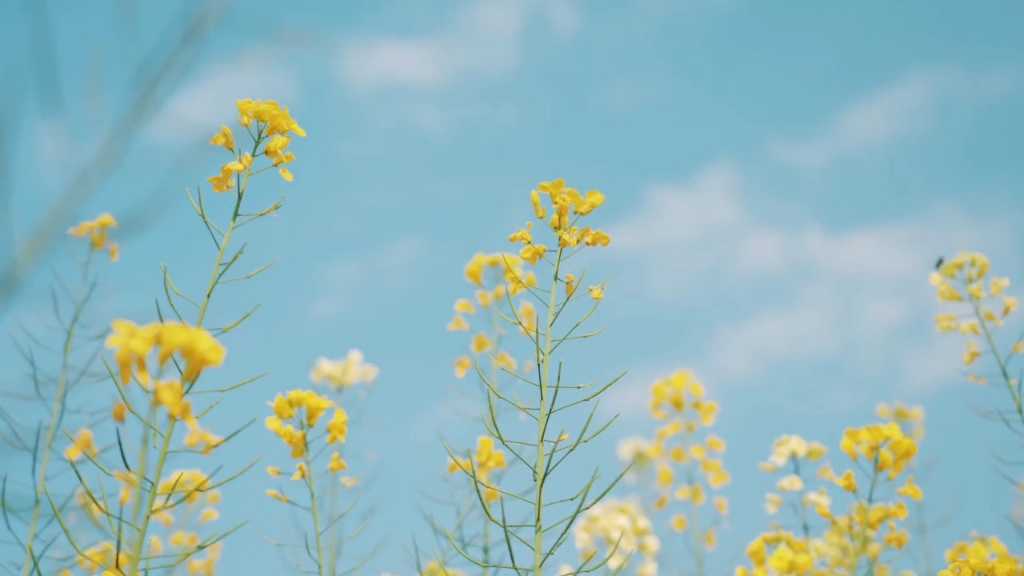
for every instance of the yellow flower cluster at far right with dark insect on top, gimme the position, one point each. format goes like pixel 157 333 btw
pixel 963 279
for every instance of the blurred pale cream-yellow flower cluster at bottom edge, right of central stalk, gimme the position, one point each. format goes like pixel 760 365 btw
pixel 624 531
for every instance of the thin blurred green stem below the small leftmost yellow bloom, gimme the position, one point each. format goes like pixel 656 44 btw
pixel 59 401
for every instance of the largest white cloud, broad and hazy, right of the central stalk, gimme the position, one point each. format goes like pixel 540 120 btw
pixel 799 295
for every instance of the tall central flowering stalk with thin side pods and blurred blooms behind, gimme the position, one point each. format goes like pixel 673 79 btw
pixel 529 547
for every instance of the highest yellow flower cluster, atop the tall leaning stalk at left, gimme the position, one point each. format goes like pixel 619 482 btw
pixel 273 126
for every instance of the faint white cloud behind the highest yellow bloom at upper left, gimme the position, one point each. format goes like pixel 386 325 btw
pixel 201 107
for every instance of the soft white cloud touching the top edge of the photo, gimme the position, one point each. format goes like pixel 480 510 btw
pixel 486 39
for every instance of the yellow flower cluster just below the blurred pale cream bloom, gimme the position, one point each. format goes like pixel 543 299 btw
pixel 295 415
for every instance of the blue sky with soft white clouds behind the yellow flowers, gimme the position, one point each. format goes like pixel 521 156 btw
pixel 780 184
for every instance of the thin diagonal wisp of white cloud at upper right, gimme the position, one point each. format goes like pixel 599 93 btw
pixel 890 114
